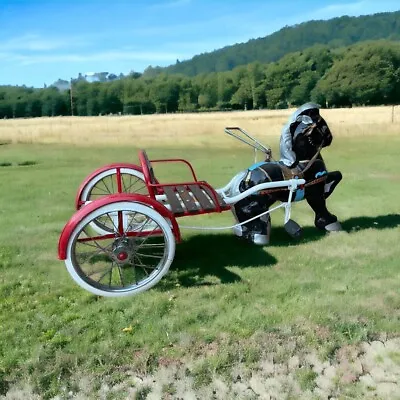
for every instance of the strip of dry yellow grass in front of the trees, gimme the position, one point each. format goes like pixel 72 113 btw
pixel 188 129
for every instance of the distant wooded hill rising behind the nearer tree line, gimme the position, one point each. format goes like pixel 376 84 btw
pixel 335 33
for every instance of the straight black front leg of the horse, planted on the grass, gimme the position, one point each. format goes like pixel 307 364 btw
pixel 324 220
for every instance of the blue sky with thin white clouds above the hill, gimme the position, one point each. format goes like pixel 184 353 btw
pixel 43 40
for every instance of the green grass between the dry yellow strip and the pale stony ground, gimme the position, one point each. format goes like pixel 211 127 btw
pixel 222 302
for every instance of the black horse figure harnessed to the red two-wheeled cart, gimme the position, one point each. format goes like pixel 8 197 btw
pixel 310 135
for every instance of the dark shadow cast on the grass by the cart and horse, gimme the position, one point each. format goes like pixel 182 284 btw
pixel 205 259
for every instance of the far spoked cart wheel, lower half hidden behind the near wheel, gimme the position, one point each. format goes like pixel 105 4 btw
pixel 112 181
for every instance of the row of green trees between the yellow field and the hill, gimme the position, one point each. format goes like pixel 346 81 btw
pixel 362 74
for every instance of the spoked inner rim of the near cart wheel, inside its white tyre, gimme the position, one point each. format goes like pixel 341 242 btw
pixel 130 257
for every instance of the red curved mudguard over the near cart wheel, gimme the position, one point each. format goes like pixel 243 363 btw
pixel 84 211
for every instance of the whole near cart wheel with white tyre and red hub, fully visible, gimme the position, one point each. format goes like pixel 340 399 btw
pixel 130 260
